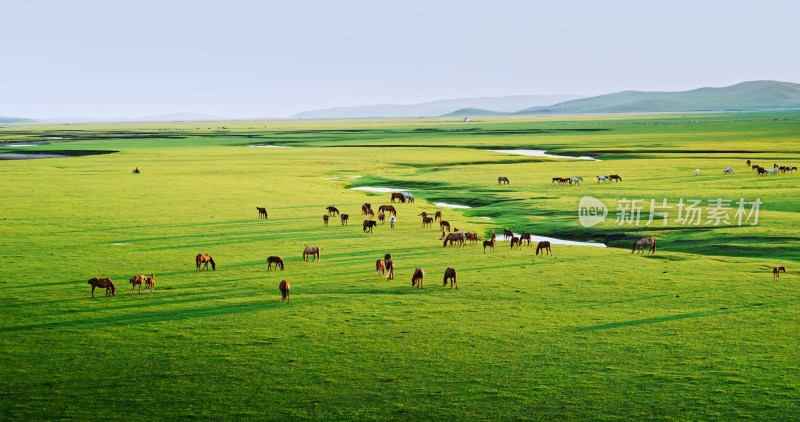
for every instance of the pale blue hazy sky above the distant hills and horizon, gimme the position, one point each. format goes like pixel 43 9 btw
pixel 269 59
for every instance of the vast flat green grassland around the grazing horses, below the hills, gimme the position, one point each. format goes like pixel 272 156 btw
pixel 698 331
